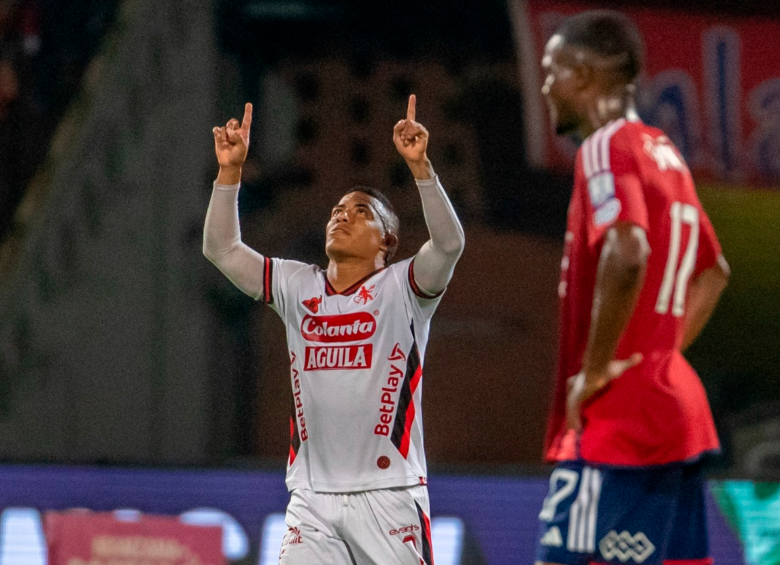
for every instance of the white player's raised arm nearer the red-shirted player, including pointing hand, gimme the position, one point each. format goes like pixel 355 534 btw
pixel 435 262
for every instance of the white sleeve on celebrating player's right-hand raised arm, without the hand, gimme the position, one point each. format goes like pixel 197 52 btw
pixel 435 262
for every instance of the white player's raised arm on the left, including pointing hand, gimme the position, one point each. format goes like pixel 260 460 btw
pixel 222 243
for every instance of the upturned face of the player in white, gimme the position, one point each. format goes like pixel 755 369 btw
pixel 354 229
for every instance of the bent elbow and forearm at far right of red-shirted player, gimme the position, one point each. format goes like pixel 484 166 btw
pixel 703 296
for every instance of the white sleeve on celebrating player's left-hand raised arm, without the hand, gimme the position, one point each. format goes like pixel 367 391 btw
pixel 222 243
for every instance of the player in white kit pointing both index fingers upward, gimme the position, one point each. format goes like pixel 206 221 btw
pixel 356 333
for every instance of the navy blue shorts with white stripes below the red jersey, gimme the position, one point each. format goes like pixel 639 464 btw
pixel 648 515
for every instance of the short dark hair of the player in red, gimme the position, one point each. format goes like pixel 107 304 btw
pixel 610 34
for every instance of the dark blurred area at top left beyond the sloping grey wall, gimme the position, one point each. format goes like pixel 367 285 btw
pixel 45 46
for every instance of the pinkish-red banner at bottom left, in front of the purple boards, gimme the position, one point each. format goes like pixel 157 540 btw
pixel 87 538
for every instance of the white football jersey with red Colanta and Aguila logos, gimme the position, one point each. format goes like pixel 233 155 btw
pixel 356 370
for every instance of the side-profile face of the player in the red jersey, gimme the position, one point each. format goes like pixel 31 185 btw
pixel 559 87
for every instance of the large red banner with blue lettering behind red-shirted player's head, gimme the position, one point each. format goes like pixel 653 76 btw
pixel 712 83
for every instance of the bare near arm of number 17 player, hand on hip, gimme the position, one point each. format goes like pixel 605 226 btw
pixel 619 280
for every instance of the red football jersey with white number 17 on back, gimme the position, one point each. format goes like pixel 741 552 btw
pixel 656 412
